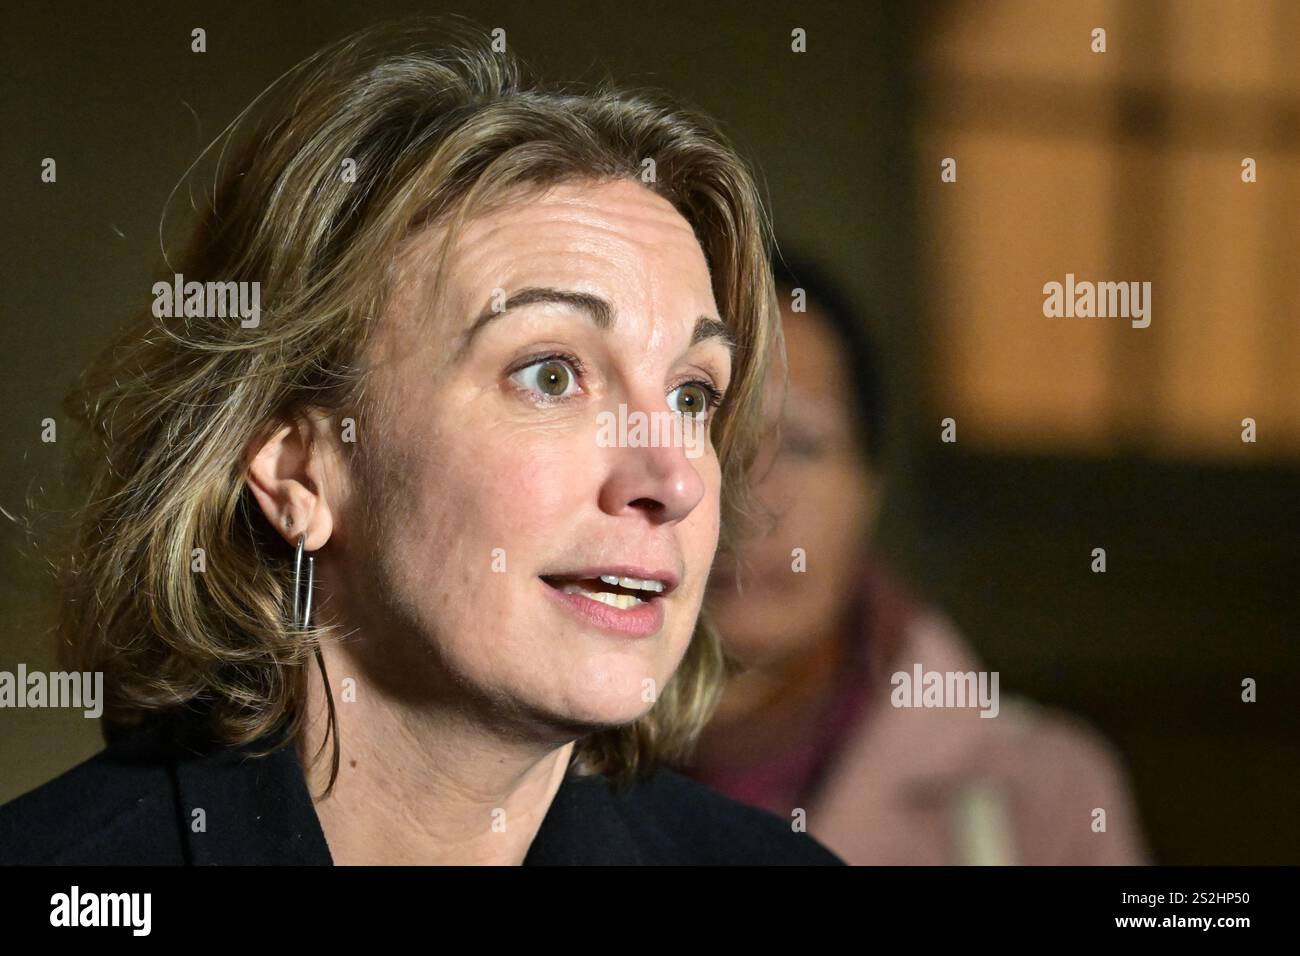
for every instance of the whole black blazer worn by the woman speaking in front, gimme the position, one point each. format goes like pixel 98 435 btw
pixel 133 804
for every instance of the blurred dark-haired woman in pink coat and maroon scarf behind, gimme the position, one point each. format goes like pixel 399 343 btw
pixel 807 721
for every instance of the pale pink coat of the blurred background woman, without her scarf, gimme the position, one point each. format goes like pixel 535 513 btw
pixel 948 786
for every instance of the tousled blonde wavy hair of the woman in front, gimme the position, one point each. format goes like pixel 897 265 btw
pixel 439 127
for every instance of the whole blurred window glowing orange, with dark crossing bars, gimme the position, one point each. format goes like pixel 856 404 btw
pixel 1052 183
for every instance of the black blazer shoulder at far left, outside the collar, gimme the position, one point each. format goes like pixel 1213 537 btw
pixel 116 807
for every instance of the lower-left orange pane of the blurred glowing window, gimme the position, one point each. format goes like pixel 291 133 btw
pixel 1026 211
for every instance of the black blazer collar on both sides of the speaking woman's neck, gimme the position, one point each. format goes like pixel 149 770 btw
pixel 258 811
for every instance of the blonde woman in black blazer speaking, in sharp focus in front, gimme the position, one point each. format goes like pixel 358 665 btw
pixel 365 579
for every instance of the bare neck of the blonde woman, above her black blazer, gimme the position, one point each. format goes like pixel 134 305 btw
pixel 424 788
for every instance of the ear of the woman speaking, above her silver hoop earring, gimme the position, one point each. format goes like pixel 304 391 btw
pixel 287 477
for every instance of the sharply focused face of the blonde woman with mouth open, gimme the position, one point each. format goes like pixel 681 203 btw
pixel 489 503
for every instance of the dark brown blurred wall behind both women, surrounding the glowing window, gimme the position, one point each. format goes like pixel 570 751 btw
pixel 1203 589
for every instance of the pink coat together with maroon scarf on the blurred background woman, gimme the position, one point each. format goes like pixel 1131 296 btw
pixel 886 785
